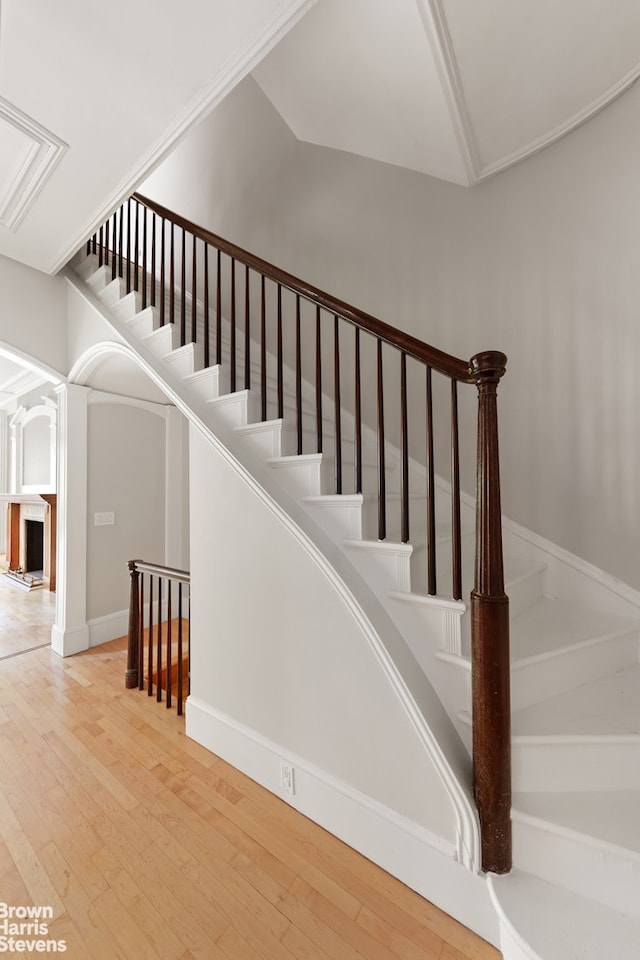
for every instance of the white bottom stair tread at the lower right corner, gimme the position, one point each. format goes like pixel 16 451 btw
pixel 554 924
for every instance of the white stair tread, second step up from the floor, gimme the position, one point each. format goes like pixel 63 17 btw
pixel 608 817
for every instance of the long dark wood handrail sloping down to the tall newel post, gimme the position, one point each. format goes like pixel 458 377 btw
pixel 442 362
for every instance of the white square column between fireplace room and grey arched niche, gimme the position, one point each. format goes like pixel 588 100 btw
pixel 70 633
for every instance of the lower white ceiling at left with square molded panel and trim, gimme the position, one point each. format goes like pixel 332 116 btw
pixel 93 96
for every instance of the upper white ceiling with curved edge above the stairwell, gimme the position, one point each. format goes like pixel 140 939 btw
pixel 457 89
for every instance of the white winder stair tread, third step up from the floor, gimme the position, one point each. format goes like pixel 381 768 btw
pixel 607 707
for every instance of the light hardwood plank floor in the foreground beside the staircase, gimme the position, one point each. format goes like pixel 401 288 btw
pixel 148 846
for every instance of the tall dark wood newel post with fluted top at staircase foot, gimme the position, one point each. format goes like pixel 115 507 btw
pixel 490 672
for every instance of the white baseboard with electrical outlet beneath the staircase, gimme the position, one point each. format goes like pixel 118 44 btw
pixel 407 850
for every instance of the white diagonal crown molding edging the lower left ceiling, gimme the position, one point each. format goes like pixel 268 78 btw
pixel 236 68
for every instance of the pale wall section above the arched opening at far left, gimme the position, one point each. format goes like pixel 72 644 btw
pixel 33 314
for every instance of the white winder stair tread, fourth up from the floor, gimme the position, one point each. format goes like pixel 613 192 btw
pixel 549 625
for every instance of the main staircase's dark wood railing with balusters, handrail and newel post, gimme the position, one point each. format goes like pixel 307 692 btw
pixel 368 370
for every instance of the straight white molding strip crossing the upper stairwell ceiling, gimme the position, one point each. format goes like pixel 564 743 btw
pixel 437 30
